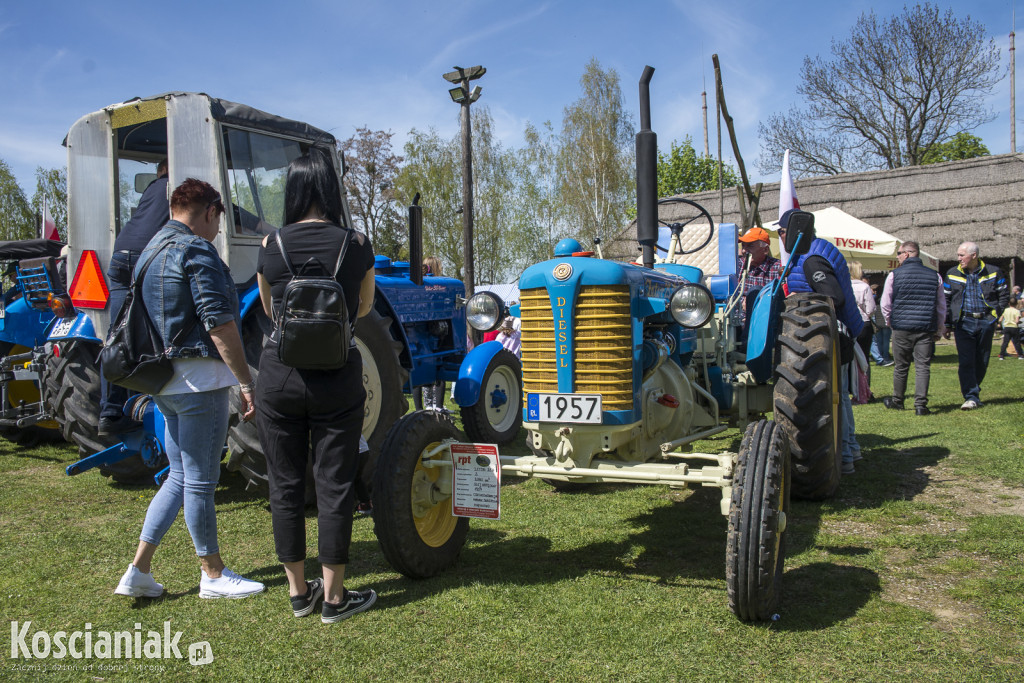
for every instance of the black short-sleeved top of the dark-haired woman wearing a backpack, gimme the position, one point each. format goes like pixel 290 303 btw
pixel 314 249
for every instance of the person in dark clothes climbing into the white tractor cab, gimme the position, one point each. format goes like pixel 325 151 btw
pixel 152 215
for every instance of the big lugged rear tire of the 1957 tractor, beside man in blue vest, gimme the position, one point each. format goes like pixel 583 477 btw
pixel 807 394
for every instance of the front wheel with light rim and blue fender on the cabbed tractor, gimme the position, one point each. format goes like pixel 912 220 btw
pixel 497 416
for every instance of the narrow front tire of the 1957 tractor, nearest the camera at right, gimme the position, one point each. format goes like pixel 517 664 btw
pixel 756 546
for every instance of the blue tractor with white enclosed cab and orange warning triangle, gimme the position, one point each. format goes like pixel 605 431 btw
pixel 415 335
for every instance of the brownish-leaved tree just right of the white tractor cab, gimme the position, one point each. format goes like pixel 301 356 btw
pixel 371 172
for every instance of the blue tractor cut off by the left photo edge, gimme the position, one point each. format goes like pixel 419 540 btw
pixel 32 268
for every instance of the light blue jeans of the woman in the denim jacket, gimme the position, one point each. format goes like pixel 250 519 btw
pixel 194 438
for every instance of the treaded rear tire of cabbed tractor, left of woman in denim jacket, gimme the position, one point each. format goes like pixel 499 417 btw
pixel 72 392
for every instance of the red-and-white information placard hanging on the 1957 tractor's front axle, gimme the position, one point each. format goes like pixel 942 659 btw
pixel 477 481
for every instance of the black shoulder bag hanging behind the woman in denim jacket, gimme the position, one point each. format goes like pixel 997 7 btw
pixel 134 356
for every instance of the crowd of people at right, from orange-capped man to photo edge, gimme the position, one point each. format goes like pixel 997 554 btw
pixel 914 309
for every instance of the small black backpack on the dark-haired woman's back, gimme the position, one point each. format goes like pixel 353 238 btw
pixel 314 330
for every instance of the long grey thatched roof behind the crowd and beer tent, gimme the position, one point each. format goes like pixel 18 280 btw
pixel 938 206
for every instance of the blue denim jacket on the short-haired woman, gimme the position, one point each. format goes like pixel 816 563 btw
pixel 188 282
